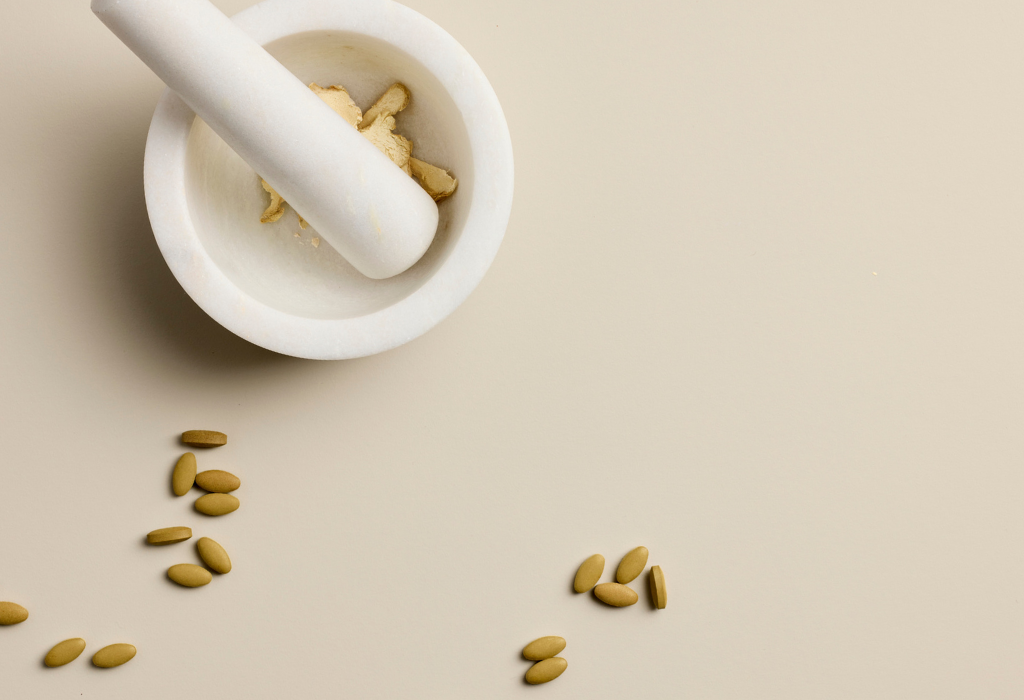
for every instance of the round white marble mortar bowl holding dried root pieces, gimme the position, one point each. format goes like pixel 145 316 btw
pixel 280 292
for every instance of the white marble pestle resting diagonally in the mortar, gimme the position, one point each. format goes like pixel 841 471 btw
pixel 366 207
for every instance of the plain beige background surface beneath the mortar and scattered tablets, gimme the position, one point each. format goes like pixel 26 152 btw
pixel 759 309
